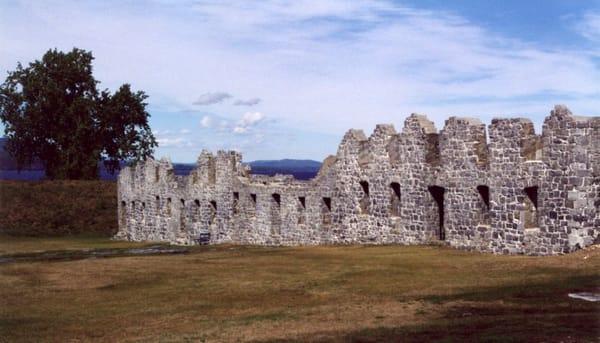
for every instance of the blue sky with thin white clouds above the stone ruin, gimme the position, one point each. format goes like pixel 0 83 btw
pixel 278 79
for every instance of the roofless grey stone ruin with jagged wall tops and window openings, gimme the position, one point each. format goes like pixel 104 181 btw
pixel 518 193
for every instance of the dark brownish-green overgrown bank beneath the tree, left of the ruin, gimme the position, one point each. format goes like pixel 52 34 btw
pixel 54 208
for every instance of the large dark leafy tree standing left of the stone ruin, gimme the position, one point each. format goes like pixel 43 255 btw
pixel 53 112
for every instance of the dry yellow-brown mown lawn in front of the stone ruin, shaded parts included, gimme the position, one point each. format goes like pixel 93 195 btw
pixel 351 293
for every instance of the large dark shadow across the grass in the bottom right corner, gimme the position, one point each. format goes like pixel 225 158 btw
pixel 539 312
